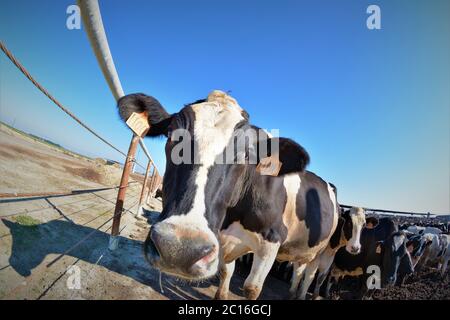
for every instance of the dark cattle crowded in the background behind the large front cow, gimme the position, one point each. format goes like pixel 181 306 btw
pixel 398 247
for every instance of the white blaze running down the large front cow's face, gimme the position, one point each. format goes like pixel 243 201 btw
pixel 214 125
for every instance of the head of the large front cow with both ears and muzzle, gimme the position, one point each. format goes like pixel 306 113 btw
pixel 199 187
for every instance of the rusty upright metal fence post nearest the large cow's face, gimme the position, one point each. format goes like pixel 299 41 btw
pixel 114 240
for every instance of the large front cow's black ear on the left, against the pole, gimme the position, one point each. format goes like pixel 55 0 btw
pixel 158 118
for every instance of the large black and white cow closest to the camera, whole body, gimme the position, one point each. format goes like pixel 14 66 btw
pixel 214 213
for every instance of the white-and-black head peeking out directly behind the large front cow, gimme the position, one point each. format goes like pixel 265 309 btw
pixel 355 220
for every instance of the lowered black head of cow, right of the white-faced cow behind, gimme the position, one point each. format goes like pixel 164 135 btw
pixel 393 250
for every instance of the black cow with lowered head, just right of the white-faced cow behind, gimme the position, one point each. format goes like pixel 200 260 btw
pixel 382 248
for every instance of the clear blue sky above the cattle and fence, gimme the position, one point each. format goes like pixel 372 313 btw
pixel 370 106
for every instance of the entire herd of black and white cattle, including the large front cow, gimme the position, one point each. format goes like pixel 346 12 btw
pixel 215 212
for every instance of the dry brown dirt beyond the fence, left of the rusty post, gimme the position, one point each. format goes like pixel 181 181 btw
pixel 28 166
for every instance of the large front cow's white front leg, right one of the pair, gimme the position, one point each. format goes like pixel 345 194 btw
pixel 263 259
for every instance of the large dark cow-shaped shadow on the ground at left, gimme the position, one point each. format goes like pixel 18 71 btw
pixel 32 243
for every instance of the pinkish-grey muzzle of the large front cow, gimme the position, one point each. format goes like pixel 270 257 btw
pixel 182 251
